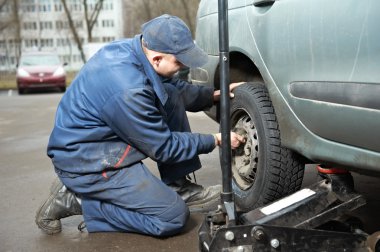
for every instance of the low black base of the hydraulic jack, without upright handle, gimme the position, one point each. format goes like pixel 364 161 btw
pixel 312 219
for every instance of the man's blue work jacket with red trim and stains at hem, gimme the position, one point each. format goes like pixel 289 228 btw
pixel 110 116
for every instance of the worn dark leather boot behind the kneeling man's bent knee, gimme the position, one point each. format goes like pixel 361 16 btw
pixel 60 204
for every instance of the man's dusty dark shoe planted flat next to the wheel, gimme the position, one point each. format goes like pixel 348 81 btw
pixel 196 197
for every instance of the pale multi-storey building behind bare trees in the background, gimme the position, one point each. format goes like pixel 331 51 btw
pixel 44 26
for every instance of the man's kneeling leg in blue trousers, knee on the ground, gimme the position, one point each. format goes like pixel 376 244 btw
pixel 129 200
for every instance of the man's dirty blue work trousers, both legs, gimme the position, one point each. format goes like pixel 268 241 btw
pixel 132 199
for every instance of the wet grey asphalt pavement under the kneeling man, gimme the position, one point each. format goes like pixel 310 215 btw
pixel 27 173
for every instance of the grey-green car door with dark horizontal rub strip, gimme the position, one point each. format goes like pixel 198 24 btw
pixel 324 57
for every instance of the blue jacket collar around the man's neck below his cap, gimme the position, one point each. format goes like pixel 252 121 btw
pixel 153 77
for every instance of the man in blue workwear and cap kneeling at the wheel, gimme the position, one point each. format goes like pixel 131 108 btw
pixel 124 106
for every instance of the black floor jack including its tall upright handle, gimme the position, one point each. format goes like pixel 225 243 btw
pixel 307 220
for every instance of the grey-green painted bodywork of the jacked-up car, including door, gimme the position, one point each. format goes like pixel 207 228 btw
pixel 320 61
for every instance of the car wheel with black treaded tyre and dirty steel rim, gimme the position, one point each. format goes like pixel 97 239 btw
pixel 262 169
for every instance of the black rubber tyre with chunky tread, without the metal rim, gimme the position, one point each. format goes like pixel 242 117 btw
pixel 284 171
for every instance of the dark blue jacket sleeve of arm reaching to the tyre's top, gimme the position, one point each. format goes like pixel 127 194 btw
pixel 196 97
